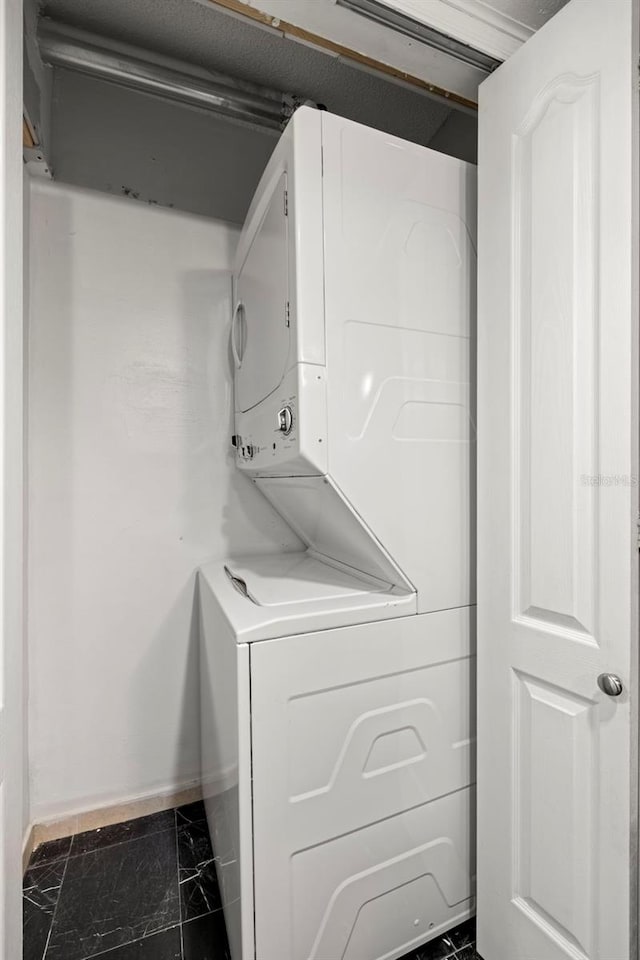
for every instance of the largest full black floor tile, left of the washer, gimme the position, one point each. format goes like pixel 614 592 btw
pixel 115 895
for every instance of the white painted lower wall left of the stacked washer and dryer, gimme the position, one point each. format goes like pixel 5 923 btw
pixel 131 486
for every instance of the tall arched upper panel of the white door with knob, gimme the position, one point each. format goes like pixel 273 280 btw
pixel 555 358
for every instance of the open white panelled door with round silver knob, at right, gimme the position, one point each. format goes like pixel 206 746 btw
pixel 557 553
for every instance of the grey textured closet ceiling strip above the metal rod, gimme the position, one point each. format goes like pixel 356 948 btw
pixel 207 37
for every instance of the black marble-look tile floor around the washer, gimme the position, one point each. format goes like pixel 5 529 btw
pixel 145 890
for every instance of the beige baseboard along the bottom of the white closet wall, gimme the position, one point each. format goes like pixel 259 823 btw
pixel 78 822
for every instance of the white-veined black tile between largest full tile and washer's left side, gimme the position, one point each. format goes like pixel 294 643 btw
pixel 199 892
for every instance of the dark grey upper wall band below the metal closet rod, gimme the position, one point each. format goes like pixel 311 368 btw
pixel 123 142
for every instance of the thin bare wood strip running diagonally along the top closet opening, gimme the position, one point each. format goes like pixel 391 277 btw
pixel 291 30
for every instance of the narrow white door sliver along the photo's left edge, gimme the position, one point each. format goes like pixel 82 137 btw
pixel 11 534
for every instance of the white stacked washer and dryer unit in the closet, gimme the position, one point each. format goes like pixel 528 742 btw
pixel 338 683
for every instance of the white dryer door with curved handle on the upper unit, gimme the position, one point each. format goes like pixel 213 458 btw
pixel 260 333
